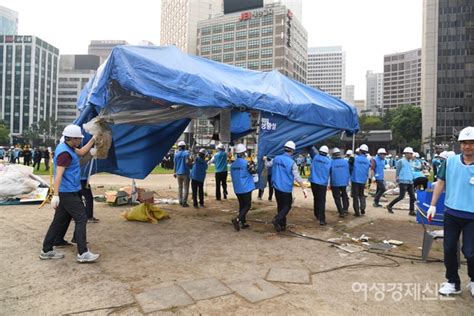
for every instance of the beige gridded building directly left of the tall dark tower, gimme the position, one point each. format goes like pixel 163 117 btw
pixel 402 79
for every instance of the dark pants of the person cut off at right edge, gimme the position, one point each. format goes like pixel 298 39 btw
pixel 453 226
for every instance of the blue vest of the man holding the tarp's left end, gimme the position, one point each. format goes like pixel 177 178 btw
pixel 71 181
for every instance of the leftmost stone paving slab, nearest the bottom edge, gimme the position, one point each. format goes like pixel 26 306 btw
pixel 163 298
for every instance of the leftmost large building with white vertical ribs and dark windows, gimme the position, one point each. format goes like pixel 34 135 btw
pixel 28 84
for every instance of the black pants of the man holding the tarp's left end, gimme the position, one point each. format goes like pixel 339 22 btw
pixel 70 206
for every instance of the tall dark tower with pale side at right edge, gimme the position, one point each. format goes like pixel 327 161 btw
pixel 447 96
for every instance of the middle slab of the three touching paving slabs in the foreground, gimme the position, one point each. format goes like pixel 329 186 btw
pixel 204 289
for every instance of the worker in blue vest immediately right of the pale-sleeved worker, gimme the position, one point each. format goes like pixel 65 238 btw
pixel 319 178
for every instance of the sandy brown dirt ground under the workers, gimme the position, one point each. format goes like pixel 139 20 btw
pixel 194 244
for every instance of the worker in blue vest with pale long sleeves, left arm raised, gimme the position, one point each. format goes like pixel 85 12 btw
pixel 284 173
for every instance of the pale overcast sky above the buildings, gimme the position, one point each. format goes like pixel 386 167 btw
pixel 366 29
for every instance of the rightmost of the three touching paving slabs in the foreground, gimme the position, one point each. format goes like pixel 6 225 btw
pixel 256 290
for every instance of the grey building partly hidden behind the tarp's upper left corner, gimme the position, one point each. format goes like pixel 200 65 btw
pixel 74 72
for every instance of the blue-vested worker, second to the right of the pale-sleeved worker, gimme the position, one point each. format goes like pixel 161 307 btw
pixel 339 180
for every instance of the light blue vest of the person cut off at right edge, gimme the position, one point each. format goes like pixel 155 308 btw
pixel 459 185
